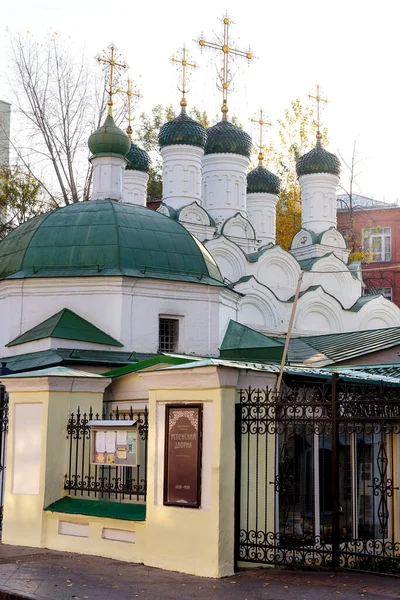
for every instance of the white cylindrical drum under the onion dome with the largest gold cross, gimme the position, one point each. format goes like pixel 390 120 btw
pixel 224 185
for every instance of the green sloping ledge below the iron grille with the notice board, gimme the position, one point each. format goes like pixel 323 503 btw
pixel 98 508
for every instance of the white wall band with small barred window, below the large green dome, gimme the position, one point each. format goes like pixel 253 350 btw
pixel 128 309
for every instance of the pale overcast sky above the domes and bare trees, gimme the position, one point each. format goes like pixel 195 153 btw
pixel 350 47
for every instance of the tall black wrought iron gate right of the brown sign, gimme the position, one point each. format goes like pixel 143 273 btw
pixel 318 475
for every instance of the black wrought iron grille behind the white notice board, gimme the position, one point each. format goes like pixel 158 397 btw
pixel 105 481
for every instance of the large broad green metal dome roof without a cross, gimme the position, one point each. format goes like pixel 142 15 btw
pixel 105 238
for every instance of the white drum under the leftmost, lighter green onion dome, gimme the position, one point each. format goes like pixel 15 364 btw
pixel 108 177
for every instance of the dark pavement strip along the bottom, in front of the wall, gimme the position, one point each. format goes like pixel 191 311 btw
pixel 31 573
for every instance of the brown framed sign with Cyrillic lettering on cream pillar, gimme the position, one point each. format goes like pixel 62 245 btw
pixel 182 468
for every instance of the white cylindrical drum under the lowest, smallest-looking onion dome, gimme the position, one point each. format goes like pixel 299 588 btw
pixel 261 212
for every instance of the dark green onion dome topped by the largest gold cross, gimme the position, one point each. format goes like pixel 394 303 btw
pixel 226 138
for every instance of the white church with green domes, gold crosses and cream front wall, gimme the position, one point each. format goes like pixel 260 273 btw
pixel 164 317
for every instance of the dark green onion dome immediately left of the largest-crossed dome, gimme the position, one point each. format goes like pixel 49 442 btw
pixel 182 130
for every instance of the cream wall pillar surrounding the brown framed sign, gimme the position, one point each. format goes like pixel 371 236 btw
pixel 198 541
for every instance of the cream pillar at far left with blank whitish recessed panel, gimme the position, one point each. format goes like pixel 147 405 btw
pixel 23 522
